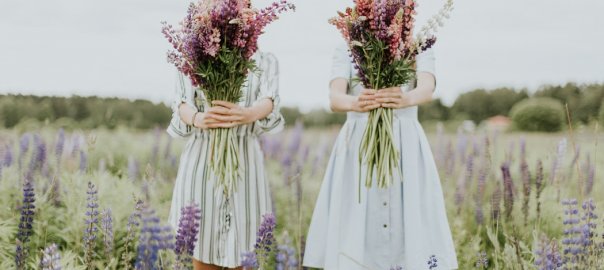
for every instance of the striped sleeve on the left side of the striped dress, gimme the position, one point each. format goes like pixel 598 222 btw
pixel 177 127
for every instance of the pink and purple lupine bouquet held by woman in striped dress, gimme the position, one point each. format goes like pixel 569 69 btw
pixel 214 47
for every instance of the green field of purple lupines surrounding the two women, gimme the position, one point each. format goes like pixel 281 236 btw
pixel 100 199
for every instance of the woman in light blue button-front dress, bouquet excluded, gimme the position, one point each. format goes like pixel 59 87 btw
pixel 403 225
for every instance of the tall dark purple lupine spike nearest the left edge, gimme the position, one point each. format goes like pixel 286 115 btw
pixel 25 225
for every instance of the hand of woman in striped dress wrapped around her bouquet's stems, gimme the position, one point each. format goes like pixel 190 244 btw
pixel 230 114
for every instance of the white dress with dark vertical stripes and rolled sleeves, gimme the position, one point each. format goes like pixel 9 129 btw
pixel 228 225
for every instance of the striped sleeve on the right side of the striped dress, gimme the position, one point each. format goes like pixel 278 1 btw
pixel 269 88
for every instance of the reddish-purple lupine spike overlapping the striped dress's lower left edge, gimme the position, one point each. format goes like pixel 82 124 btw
pixel 186 237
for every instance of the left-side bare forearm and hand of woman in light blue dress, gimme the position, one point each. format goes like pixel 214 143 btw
pixel 342 102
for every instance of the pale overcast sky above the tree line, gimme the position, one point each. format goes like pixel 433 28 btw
pixel 115 48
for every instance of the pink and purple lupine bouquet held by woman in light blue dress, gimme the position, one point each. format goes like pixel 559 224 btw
pixel 379 34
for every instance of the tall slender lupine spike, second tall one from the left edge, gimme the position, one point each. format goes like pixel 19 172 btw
pixel 92 222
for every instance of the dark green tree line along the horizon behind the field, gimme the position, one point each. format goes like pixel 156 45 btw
pixel 584 103
